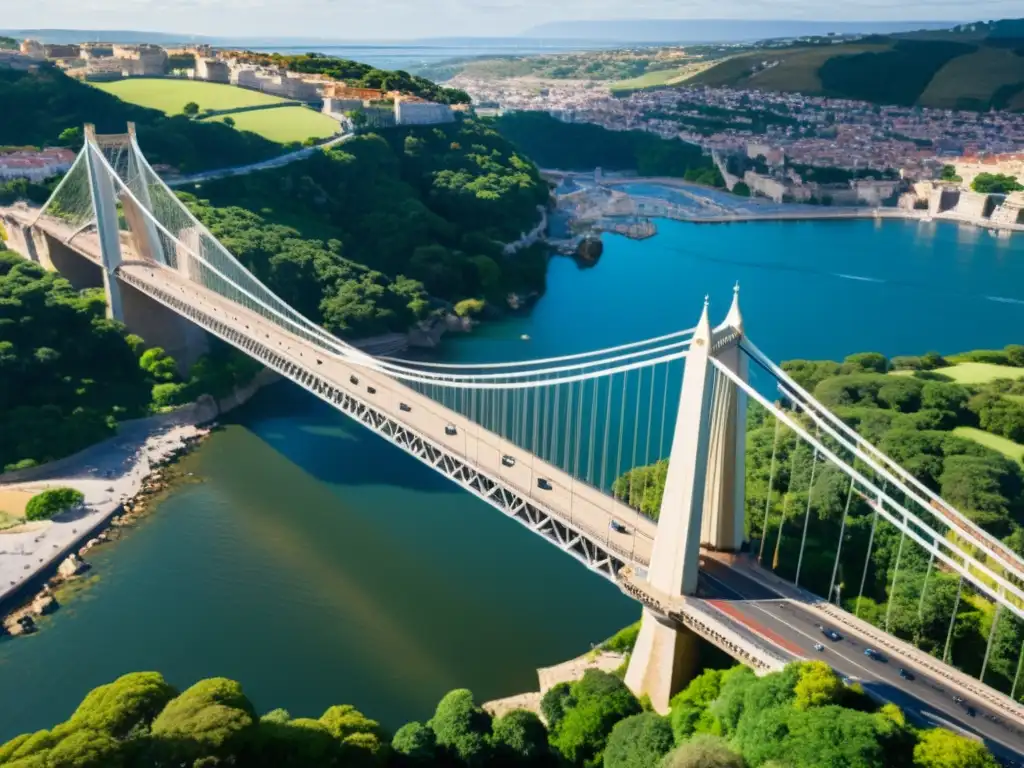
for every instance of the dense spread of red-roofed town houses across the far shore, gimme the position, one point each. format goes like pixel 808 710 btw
pixel 789 129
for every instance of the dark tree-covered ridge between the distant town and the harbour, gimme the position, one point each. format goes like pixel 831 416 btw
pixel 553 144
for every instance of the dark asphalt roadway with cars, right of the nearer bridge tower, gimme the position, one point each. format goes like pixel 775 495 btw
pixel 926 700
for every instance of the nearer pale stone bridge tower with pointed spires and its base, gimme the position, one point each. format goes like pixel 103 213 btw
pixel 703 504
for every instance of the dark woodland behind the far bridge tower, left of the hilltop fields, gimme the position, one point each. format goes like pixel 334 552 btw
pixel 49 104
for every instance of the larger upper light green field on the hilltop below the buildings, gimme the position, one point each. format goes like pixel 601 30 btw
pixel 170 97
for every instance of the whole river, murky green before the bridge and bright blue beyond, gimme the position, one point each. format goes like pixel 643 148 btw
pixel 320 566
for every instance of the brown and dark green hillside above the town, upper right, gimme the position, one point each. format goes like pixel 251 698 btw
pixel 967 70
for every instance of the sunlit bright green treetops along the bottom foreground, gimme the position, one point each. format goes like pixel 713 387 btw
pixel 802 717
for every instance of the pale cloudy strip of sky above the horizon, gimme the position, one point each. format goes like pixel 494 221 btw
pixel 383 20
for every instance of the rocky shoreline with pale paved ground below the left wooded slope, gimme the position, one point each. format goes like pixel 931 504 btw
pixel 116 477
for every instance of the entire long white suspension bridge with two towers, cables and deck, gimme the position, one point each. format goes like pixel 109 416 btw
pixel 551 445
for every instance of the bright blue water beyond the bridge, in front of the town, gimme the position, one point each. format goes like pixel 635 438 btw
pixel 813 290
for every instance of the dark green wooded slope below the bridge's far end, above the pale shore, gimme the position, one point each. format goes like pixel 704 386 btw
pixel 68 374
